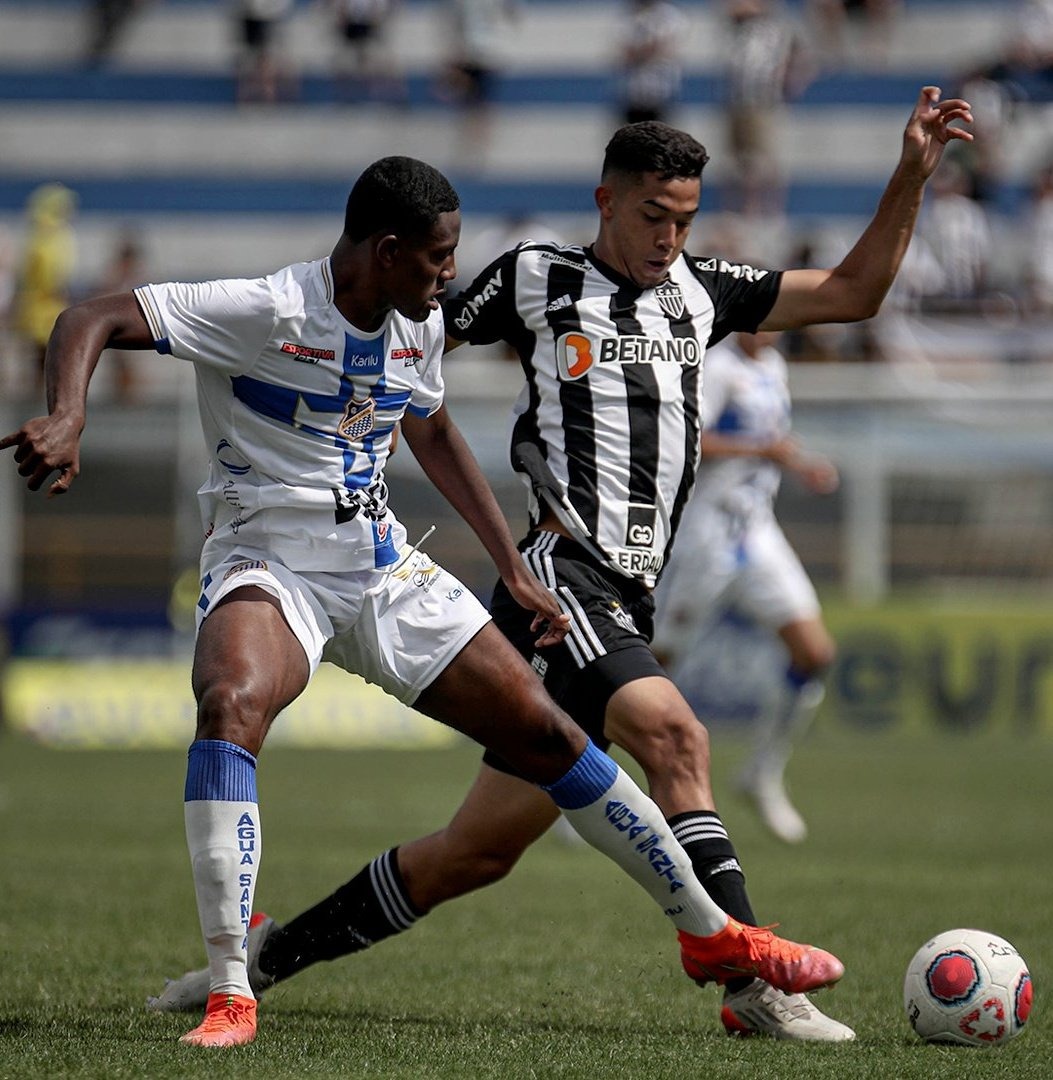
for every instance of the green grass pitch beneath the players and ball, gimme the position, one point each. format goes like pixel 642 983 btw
pixel 563 970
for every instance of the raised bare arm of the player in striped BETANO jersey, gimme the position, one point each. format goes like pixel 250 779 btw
pixel 856 289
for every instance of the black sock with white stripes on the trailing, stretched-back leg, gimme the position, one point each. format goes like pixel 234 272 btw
pixel 372 907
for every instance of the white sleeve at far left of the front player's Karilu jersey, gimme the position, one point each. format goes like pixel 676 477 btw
pixel 224 325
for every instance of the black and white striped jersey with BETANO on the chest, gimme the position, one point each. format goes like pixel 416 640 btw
pixel 607 428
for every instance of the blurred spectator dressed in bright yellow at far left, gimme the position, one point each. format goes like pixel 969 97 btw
pixel 46 272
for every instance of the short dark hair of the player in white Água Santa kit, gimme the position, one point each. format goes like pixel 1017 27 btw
pixel 400 196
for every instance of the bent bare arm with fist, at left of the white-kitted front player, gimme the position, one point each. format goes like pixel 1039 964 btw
pixel 49 444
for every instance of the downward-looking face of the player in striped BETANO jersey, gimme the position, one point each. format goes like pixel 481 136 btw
pixel 644 224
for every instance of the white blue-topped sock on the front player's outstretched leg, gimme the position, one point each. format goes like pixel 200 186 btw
pixel 607 808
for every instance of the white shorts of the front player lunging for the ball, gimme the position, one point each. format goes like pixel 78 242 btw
pixel 398 628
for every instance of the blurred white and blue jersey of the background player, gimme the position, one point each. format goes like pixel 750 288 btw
pixel 748 399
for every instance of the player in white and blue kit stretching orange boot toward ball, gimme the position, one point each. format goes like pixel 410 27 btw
pixel 302 379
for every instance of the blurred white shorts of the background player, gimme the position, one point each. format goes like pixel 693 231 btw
pixel 761 577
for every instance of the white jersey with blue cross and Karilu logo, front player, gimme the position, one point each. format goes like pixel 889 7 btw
pixel 299 409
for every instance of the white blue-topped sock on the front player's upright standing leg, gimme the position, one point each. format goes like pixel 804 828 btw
pixel 224 839
